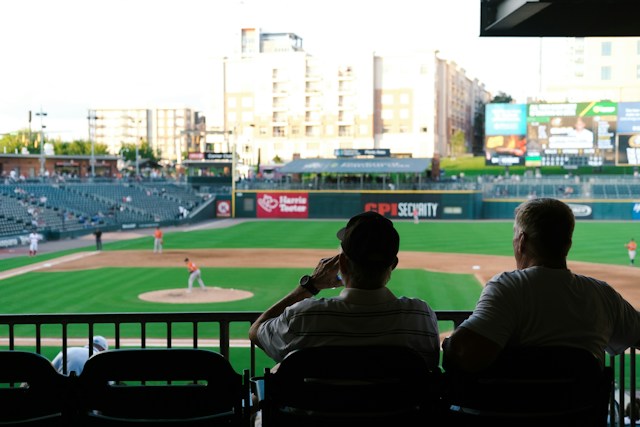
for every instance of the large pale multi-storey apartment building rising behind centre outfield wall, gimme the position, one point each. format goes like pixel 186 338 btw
pixel 281 102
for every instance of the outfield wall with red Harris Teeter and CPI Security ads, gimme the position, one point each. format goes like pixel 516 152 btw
pixel 450 205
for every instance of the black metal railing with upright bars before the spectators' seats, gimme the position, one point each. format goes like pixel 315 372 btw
pixel 207 329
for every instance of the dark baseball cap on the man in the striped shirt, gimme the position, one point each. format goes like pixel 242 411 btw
pixel 370 240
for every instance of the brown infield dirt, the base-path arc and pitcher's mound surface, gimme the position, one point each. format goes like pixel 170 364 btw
pixel 623 278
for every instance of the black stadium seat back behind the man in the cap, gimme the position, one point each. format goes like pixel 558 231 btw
pixel 351 386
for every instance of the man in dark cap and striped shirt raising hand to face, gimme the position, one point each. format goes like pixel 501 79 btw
pixel 365 313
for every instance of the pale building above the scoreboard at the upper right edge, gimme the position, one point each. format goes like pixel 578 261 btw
pixel 591 69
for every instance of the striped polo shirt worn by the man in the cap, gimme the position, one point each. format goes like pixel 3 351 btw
pixel 355 317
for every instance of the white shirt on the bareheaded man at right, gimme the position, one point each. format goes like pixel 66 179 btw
pixel 541 306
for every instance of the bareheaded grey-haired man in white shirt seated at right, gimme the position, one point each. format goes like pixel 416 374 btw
pixel 542 303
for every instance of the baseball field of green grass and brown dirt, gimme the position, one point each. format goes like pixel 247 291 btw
pixel 249 265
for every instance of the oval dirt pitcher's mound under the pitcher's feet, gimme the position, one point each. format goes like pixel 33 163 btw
pixel 197 295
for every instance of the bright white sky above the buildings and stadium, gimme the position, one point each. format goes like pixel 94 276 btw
pixel 64 57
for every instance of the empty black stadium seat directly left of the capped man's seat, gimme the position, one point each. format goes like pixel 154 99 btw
pixel 172 386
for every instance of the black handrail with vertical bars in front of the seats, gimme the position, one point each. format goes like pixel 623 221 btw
pixel 222 338
